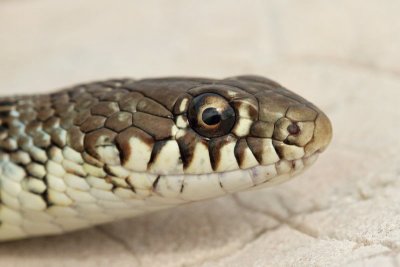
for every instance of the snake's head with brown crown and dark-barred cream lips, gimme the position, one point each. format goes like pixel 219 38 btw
pixel 200 138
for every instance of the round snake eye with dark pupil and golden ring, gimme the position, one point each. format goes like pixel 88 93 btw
pixel 210 115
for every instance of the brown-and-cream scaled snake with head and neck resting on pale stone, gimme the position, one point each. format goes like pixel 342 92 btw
pixel 107 150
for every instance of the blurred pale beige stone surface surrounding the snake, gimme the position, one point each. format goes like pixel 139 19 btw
pixel 343 55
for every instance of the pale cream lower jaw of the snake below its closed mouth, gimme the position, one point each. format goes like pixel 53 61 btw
pixel 203 186
